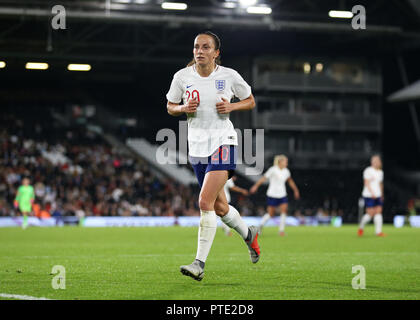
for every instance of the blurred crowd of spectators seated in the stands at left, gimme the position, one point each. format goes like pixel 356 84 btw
pixel 79 174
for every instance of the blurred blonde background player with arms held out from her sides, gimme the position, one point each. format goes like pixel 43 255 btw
pixel 278 175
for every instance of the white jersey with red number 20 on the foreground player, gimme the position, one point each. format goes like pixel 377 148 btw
pixel 207 129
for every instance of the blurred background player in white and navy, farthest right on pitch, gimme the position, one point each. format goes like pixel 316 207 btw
pixel 373 193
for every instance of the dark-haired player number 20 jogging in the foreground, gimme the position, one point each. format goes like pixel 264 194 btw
pixel 206 88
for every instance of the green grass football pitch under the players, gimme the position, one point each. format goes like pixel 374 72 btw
pixel 143 263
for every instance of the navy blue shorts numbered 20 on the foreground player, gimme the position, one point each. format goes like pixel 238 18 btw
pixel 224 158
